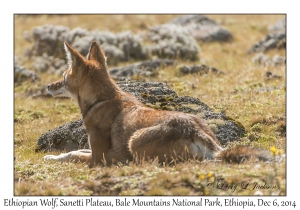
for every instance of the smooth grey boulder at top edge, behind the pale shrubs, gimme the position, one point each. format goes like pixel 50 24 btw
pixel 202 28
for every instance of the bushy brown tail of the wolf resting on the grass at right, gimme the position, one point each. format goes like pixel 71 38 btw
pixel 240 154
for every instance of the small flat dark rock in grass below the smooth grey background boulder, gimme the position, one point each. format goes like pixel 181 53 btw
pixel 199 69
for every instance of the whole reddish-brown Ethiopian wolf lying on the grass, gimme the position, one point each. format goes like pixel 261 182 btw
pixel 120 127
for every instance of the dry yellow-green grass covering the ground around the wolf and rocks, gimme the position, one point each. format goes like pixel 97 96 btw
pixel 262 113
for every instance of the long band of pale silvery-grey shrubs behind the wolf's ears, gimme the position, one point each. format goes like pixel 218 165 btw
pixel 48 53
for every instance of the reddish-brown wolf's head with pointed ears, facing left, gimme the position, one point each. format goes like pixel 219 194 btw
pixel 79 79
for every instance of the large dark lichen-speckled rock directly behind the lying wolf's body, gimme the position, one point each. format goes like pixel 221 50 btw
pixel 156 95
